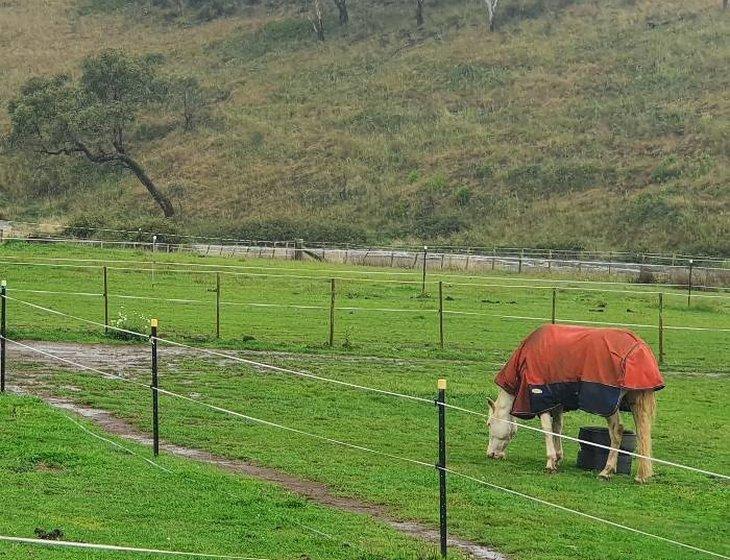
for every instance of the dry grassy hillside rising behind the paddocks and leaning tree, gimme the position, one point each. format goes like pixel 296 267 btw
pixel 577 123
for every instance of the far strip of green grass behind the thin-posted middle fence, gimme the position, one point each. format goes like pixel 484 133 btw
pixel 273 304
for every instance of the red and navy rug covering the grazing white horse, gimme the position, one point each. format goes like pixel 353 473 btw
pixel 578 368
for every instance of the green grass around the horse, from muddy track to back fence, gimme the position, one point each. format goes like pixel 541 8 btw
pixel 399 352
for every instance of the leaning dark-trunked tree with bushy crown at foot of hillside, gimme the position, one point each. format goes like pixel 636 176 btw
pixel 95 117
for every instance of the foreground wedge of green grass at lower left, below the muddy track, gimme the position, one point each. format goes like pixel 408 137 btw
pixel 54 475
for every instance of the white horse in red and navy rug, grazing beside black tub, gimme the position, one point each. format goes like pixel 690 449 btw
pixel 559 368
